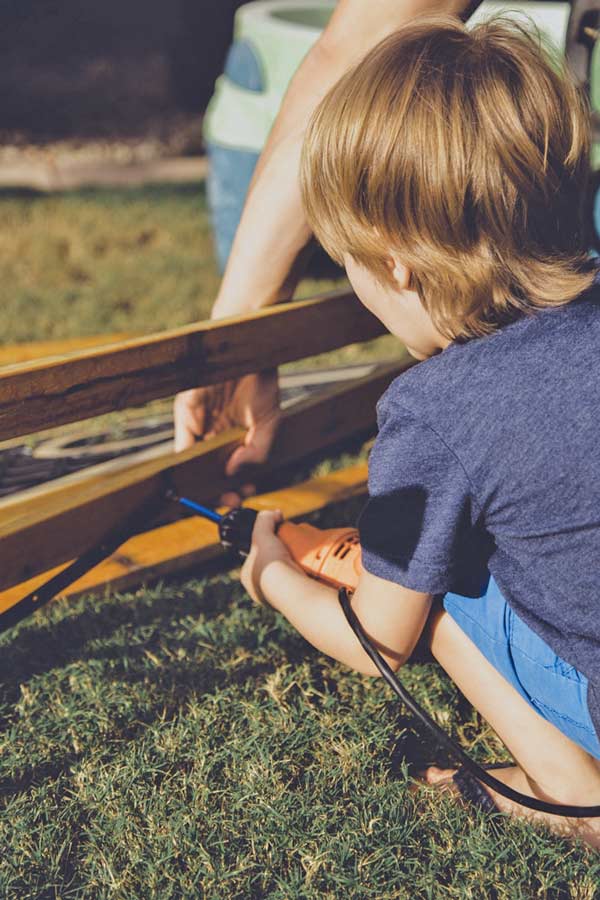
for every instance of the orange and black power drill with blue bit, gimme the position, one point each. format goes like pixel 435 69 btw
pixel 331 555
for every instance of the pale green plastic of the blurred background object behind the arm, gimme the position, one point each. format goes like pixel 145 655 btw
pixel 281 33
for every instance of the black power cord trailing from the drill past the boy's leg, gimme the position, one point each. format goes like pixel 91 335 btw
pixel 443 739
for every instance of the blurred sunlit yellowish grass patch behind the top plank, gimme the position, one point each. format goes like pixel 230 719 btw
pixel 99 261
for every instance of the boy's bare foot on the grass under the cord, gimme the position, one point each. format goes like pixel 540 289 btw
pixel 587 830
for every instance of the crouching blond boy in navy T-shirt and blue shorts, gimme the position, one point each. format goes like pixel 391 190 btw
pixel 447 172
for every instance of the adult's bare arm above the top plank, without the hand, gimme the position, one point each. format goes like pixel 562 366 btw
pixel 273 232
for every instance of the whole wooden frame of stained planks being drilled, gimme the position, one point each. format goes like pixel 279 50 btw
pixel 43 529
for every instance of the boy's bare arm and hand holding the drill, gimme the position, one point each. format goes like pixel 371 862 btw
pixel 392 616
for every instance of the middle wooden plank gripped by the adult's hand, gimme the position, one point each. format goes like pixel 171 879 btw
pixel 43 527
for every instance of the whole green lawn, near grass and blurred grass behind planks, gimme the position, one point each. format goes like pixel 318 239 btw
pixel 178 741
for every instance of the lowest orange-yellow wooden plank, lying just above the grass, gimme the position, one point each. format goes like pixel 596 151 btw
pixel 188 543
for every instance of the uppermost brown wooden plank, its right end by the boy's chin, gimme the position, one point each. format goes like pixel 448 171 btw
pixel 44 394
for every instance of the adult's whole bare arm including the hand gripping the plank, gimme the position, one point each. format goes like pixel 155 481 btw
pixel 273 236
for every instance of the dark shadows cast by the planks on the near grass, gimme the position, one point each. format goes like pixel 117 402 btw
pixel 65 642
